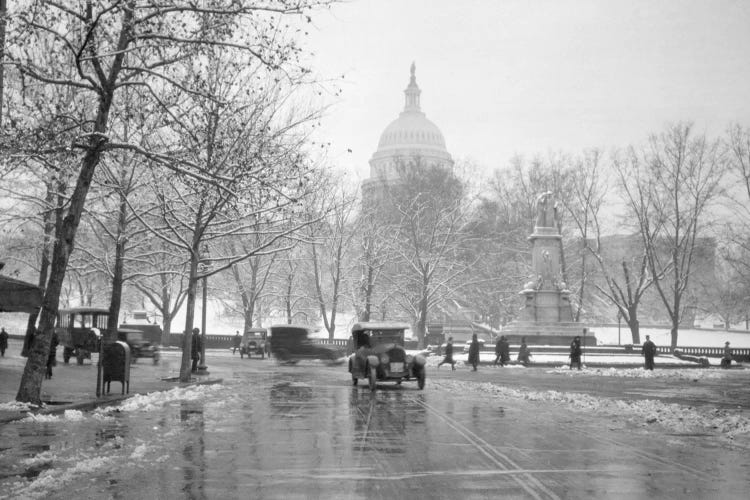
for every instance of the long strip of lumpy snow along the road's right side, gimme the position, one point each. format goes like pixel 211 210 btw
pixel 677 418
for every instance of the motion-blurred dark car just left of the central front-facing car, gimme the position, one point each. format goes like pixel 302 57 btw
pixel 291 343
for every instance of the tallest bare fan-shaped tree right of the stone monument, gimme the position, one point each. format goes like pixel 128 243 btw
pixel 669 187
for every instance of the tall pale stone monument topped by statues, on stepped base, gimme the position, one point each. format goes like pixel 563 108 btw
pixel 546 317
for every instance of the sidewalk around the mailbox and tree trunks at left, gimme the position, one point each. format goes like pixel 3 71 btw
pixel 73 386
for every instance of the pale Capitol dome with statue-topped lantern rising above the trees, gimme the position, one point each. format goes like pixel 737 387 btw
pixel 409 138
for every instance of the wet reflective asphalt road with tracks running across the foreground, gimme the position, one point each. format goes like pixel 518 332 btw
pixel 303 431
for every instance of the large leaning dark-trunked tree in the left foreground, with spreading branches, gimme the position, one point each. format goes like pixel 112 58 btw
pixel 126 44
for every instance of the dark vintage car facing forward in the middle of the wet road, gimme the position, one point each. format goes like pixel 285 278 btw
pixel 379 355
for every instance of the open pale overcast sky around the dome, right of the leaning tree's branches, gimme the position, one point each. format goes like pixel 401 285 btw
pixel 528 77
